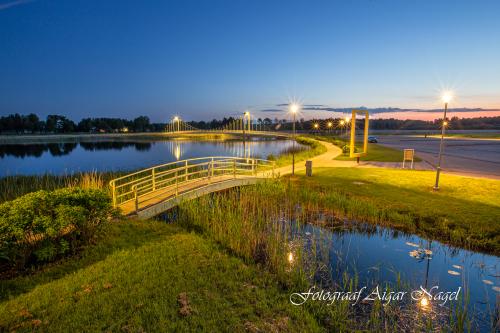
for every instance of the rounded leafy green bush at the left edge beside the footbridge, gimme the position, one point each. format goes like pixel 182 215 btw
pixel 42 226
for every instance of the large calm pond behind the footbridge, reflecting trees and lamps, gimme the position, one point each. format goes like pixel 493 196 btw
pixel 114 155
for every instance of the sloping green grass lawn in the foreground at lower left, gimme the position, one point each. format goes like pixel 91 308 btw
pixel 150 276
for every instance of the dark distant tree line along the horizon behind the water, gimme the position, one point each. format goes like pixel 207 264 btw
pixel 31 123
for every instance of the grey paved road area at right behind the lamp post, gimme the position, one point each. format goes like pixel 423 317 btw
pixel 472 157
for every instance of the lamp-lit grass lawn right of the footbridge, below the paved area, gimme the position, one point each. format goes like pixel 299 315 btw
pixel 465 212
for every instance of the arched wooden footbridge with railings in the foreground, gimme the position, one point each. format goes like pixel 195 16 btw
pixel 151 191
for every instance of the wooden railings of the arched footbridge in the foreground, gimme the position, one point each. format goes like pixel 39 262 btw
pixel 172 176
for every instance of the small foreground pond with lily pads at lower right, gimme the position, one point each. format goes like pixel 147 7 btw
pixel 382 257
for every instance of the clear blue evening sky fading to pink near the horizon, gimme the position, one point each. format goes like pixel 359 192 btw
pixel 206 59
